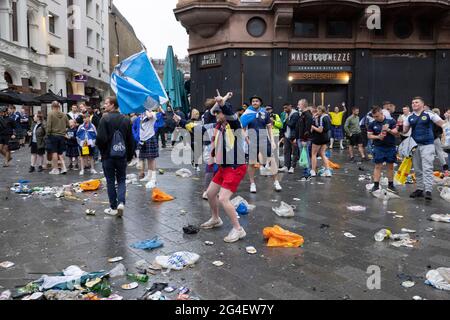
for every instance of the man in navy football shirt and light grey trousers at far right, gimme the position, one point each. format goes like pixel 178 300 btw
pixel 421 124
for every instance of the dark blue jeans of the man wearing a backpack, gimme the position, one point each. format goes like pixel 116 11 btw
pixel 115 169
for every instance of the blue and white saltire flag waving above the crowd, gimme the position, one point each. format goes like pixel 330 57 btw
pixel 137 85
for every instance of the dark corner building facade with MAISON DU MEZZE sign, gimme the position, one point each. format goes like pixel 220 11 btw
pixel 326 51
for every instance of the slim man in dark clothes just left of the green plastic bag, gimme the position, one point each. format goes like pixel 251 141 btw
pixel 290 144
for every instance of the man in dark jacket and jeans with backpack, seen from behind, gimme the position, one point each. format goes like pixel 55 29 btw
pixel 115 142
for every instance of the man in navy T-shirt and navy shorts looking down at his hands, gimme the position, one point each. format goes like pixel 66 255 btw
pixel 383 131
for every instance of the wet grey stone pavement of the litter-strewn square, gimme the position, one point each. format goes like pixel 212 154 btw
pixel 46 235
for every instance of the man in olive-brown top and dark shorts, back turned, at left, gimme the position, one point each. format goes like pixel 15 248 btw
pixel 57 124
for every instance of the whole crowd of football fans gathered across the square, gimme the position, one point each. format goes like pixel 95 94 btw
pixel 233 143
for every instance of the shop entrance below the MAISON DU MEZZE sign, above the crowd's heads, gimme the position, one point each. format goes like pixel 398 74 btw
pixel 317 95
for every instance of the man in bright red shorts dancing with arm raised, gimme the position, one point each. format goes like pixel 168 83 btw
pixel 228 152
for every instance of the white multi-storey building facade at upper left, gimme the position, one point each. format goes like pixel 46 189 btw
pixel 58 45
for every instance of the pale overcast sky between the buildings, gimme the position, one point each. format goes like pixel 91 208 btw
pixel 155 25
